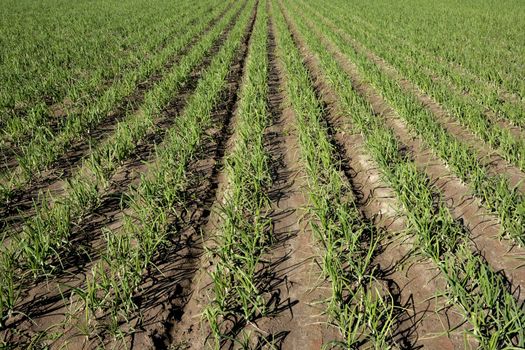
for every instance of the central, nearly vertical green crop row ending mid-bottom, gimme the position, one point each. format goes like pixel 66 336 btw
pixel 245 230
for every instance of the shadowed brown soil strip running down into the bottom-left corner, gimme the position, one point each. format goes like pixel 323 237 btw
pixel 42 303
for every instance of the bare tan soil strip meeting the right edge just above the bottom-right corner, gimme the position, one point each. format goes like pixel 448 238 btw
pixel 484 227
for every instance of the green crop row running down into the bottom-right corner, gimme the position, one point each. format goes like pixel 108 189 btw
pixel 482 294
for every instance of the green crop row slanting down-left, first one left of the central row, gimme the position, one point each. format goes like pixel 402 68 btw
pixel 150 224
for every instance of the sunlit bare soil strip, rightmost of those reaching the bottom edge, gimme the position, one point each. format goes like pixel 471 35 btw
pixel 413 282
